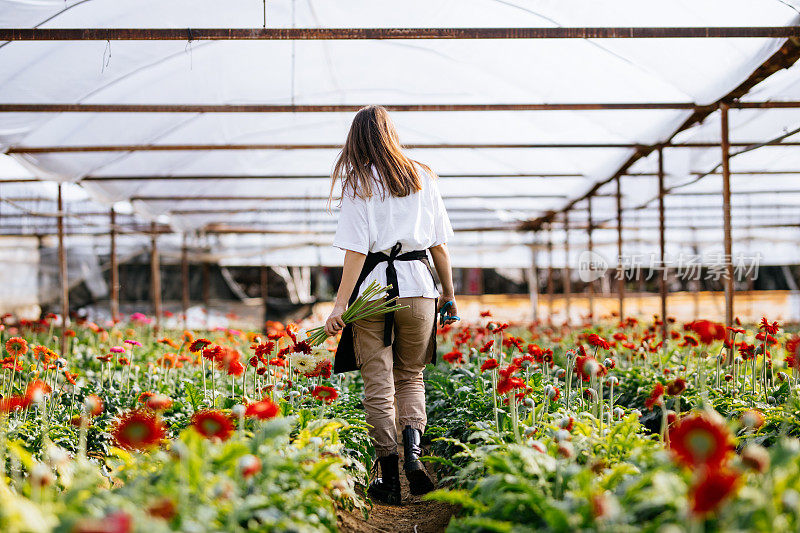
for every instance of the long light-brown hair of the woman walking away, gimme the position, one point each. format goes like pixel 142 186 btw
pixel 372 141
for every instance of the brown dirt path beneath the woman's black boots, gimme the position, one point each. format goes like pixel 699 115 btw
pixel 413 516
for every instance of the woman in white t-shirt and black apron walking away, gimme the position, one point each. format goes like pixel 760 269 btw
pixel 391 213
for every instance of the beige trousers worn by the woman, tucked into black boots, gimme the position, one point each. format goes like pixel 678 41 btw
pixel 394 377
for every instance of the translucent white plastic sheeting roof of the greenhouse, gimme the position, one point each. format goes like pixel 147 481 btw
pixel 696 71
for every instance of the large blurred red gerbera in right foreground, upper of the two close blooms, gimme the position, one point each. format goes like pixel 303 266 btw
pixel 698 440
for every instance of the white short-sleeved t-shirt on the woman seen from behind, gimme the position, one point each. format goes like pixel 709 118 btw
pixel 417 221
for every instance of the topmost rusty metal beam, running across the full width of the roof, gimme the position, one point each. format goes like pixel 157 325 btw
pixel 282 34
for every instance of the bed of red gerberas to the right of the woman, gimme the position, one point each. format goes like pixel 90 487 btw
pixel 605 429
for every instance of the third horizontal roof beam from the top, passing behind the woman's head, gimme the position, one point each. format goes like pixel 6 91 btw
pixel 324 146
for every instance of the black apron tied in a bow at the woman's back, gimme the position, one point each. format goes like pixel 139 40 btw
pixel 345 360
